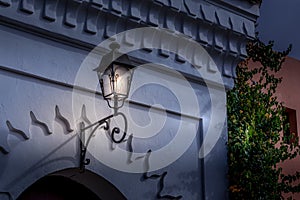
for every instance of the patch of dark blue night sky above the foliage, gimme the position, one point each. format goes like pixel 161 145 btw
pixel 280 21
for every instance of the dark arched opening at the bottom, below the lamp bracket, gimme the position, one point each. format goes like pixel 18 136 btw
pixel 72 184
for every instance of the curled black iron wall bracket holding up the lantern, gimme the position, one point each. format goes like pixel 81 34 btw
pixel 105 121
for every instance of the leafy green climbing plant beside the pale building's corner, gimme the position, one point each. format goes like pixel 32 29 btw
pixel 255 122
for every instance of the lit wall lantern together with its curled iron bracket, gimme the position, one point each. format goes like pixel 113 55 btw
pixel 115 74
